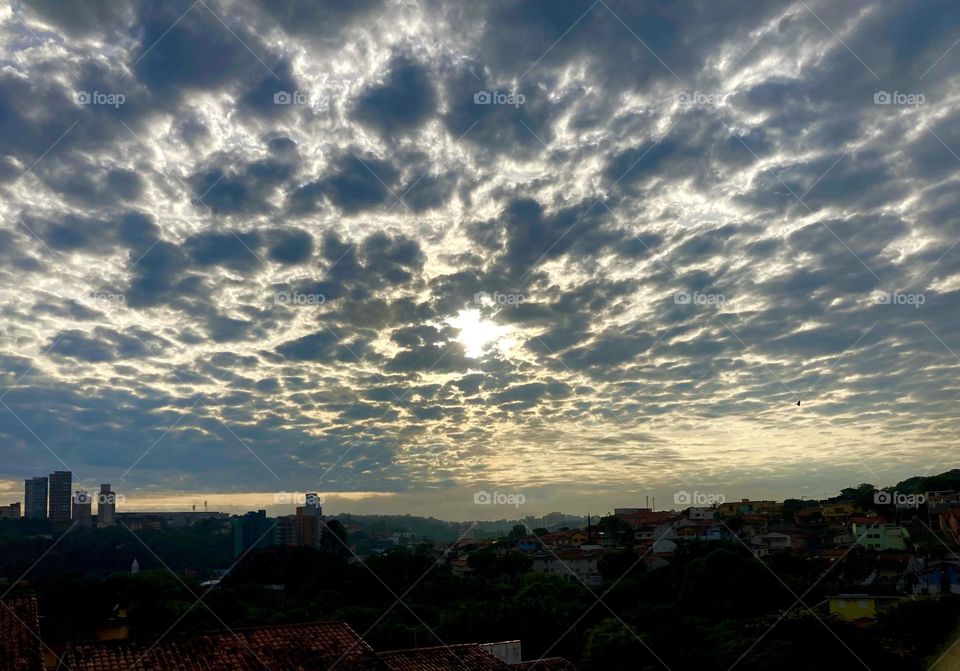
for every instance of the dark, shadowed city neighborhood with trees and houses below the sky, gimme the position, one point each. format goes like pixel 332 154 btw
pixel 875 568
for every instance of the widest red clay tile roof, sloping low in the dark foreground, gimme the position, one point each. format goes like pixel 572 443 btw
pixel 301 647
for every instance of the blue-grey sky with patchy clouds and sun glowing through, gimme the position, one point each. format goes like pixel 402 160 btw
pixel 415 254
